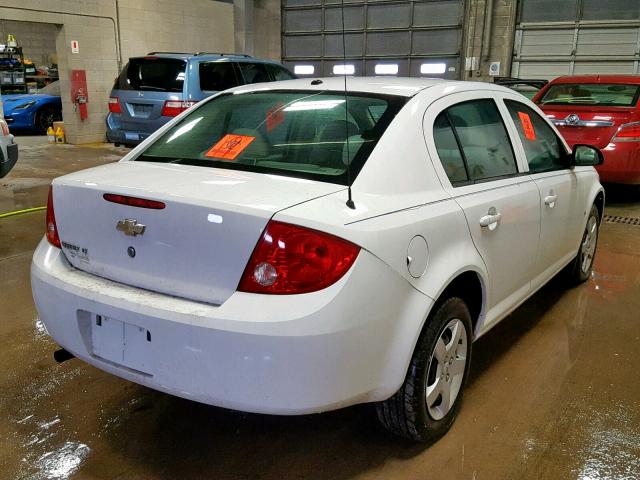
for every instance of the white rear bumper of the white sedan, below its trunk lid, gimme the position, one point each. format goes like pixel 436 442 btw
pixel 350 343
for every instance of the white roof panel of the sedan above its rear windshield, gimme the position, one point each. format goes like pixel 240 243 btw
pixel 400 86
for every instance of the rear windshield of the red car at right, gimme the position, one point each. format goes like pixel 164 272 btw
pixel 607 95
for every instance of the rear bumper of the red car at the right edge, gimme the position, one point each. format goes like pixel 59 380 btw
pixel 621 163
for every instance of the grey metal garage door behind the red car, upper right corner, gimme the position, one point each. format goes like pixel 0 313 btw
pixel 572 37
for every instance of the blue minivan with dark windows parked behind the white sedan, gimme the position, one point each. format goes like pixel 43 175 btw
pixel 152 89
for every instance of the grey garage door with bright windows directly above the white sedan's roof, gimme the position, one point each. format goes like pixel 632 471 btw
pixel 407 38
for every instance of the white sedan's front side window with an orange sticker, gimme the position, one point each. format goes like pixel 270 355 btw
pixel 541 145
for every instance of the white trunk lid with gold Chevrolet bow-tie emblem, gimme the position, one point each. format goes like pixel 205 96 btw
pixel 196 247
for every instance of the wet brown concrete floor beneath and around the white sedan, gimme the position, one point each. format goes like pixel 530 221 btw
pixel 554 391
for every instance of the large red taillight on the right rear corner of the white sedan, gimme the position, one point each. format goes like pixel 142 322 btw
pixel 289 259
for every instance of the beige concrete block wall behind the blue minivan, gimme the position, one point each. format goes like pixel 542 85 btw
pixel 145 25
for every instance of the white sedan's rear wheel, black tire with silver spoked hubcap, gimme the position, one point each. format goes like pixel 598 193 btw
pixel 407 413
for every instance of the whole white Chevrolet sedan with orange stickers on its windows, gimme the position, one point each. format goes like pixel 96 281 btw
pixel 289 248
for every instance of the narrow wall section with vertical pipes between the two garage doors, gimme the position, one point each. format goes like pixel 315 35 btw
pixel 499 48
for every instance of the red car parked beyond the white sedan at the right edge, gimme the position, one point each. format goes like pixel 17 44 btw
pixel 599 110
